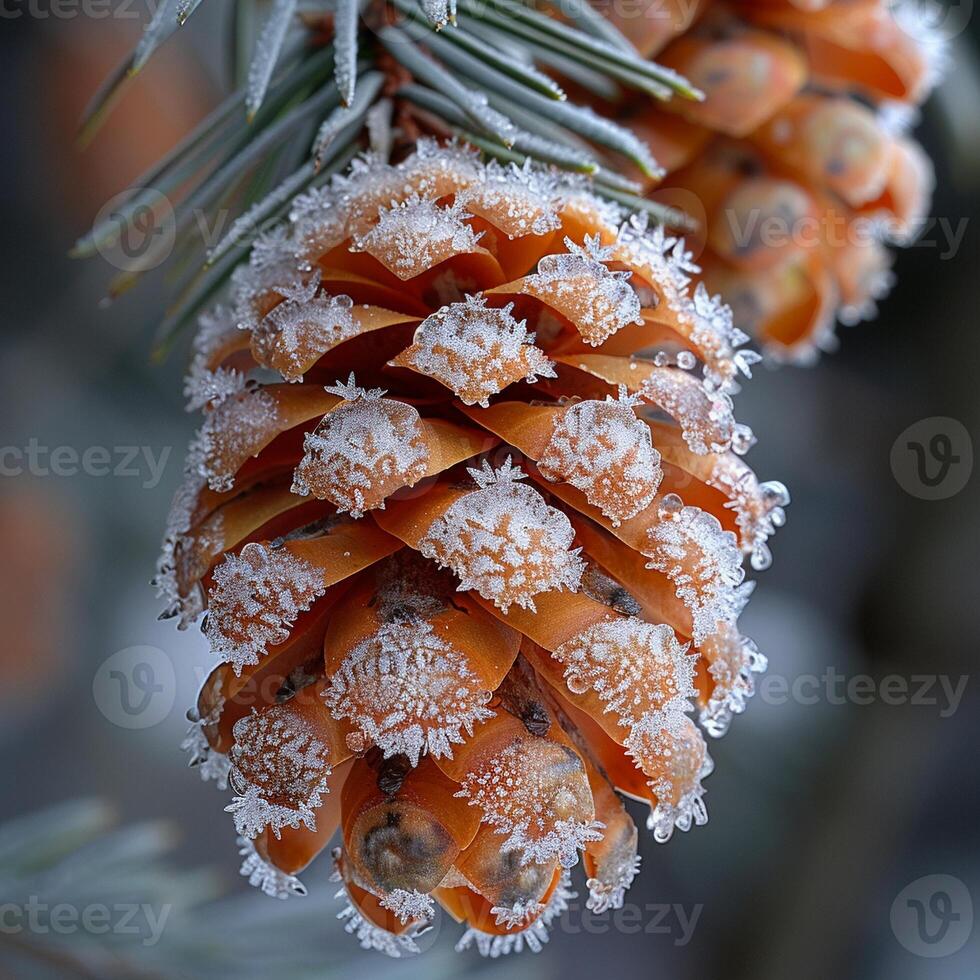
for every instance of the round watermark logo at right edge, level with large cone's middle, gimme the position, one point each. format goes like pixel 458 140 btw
pixel 933 458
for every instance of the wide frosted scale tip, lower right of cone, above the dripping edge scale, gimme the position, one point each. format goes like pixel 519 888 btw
pixel 633 666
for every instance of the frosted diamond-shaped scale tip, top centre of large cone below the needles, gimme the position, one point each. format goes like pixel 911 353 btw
pixel 415 235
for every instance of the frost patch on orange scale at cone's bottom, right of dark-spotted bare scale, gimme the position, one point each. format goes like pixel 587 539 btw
pixel 523 798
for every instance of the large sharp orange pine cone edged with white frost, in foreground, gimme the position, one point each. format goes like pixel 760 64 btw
pixel 469 565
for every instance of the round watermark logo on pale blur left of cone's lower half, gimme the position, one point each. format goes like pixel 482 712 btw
pixel 135 687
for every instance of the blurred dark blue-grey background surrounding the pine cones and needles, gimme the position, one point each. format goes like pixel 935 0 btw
pixel 837 798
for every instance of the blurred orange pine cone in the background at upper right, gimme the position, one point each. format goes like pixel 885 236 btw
pixel 798 160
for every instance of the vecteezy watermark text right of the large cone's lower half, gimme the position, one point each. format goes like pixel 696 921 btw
pixel 833 687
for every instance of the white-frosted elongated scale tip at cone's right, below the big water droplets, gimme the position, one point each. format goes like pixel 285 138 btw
pixel 702 561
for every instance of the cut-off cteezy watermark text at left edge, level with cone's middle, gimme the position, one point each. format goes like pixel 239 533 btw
pixel 35 459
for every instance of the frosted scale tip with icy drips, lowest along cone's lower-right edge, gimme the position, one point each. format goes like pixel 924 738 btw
pixel 670 750
